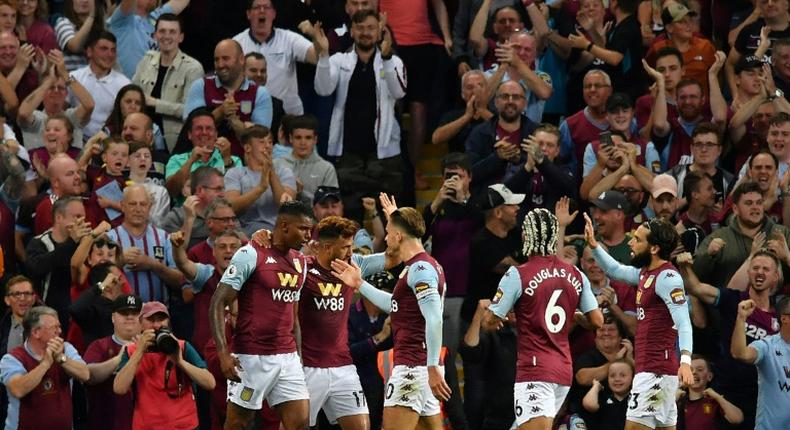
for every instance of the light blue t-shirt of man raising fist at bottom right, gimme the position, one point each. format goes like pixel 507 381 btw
pixel 773 380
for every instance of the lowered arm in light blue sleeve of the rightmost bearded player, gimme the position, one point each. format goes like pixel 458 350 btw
pixel 669 287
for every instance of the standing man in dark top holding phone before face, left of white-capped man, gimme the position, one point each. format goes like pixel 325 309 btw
pixel 451 223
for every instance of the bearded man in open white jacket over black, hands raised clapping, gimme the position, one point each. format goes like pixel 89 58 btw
pixel 367 81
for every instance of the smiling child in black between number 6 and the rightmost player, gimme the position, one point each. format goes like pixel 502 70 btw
pixel 606 406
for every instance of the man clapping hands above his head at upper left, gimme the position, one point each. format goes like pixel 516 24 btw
pixel 51 94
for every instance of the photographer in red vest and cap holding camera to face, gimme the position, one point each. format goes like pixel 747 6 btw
pixel 161 403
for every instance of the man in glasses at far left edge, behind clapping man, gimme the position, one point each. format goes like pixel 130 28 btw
pixel 19 297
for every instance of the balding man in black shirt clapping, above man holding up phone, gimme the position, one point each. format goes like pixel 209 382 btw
pixel 456 125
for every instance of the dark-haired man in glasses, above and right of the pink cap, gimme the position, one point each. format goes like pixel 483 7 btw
pixel 706 147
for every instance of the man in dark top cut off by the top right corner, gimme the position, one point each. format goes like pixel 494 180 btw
pixel 774 16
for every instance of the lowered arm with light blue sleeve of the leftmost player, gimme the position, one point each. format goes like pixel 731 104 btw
pixel 239 270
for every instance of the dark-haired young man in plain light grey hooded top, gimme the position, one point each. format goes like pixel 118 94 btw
pixel 310 169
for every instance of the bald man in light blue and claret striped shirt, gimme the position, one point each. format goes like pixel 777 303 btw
pixel 147 255
